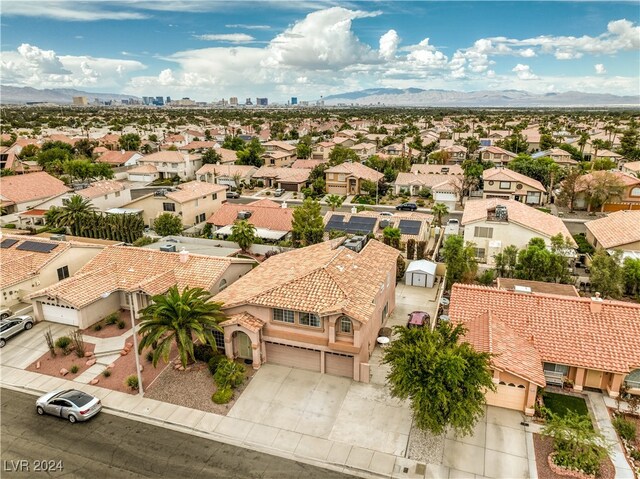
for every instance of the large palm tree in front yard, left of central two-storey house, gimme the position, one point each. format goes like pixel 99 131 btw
pixel 179 318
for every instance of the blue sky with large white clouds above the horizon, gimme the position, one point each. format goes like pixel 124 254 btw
pixel 209 50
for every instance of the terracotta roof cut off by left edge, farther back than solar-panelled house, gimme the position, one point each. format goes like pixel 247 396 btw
pixel 34 186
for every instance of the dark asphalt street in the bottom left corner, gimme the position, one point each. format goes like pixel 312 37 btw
pixel 109 446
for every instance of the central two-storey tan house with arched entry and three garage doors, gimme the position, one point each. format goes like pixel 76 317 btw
pixel 317 308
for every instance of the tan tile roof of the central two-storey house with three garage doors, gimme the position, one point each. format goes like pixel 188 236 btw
pixel 321 278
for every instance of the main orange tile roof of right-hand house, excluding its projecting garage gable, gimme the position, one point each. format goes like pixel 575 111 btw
pixel 563 329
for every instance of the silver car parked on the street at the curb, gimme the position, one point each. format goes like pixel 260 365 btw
pixel 69 404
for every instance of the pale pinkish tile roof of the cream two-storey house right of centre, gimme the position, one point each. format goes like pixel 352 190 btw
pixel 519 213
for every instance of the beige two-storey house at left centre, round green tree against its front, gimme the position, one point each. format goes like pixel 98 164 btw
pixel 194 202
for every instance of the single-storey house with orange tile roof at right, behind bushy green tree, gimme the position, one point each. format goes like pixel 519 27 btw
pixel 538 339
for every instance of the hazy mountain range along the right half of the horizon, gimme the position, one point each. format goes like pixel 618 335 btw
pixel 485 98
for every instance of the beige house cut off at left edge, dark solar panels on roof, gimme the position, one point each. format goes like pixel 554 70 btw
pixel 32 263
